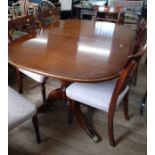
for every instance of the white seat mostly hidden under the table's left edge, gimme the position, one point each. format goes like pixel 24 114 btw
pixel 37 77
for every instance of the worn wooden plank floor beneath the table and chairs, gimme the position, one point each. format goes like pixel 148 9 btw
pixel 59 138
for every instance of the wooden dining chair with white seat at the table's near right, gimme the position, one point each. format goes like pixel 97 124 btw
pixel 105 96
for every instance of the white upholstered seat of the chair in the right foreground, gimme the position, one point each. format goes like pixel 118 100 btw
pixel 97 95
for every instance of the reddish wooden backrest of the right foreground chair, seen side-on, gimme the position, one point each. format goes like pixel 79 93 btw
pixel 125 77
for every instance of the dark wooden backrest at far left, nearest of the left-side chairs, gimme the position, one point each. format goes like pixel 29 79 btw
pixel 28 21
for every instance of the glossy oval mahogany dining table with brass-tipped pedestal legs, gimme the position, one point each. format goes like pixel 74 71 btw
pixel 74 50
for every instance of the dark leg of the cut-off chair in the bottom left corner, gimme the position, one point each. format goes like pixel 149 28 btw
pixel 36 127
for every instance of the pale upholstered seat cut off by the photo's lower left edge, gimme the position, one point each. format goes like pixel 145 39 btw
pixel 19 109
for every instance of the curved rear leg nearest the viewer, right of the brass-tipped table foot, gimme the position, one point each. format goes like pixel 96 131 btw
pixel 110 128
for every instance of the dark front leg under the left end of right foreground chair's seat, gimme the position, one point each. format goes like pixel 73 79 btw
pixel 71 107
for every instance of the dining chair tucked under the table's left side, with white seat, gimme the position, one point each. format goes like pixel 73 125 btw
pixel 29 22
